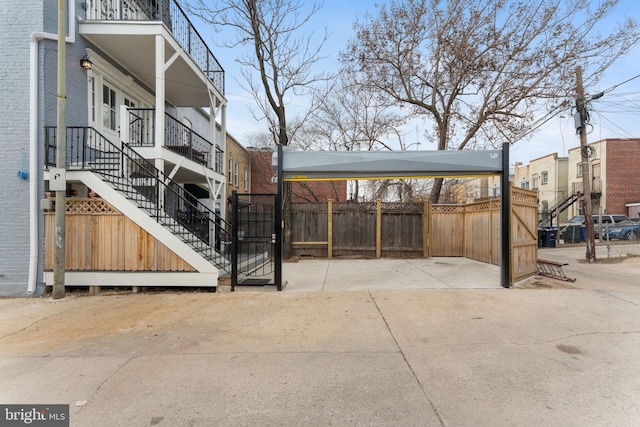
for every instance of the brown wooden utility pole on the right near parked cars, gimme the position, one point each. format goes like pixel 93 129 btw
pixel 581 123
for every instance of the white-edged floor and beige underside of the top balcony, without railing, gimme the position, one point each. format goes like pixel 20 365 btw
pixel 133 46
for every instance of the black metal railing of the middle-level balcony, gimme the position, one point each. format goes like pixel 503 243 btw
pixel 177 138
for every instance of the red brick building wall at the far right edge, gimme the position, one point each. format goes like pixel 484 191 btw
pixel 623 174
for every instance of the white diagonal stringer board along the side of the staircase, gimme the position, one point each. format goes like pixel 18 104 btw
pixel 142 219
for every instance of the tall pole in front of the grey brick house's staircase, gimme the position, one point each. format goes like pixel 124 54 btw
pixel 61 161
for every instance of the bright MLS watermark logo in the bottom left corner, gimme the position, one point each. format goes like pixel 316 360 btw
pixel 34 415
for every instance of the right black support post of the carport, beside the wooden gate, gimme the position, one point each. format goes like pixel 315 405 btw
pixel 505 220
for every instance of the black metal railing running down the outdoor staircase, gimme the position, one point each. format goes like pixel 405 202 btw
pixel 166 201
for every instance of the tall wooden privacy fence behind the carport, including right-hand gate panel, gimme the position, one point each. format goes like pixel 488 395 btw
pixel 419 229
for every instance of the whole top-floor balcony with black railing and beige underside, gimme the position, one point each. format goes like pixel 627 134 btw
pixel 127 31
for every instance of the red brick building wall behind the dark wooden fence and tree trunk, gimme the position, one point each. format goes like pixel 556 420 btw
pixel 311 191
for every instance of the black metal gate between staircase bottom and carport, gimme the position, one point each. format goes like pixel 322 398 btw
pixel 256 247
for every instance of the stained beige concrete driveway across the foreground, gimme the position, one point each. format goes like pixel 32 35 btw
pixel 543 355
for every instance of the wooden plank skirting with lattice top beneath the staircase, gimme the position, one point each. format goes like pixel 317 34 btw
pixel 100 238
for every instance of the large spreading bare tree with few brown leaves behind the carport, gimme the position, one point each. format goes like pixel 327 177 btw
pixel 482 71
